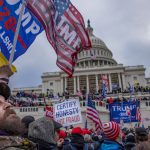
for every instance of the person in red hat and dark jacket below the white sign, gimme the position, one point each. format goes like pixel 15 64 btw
pixel 77 140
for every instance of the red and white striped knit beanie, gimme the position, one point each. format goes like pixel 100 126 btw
pixel 111 130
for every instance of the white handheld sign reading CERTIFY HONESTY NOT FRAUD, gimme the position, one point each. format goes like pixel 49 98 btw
pixel 68 112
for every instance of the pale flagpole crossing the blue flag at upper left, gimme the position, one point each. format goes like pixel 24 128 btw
pixel 17 32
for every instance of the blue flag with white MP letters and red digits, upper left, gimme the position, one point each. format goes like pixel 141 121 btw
pixel 29 29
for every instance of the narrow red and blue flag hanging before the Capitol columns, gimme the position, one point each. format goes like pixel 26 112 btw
pixel 104 86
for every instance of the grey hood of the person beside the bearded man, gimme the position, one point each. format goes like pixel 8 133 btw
pixel 42 129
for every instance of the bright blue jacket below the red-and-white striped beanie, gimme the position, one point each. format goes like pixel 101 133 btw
pixel 111 145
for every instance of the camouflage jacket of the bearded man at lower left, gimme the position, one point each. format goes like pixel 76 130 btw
pixel 16 143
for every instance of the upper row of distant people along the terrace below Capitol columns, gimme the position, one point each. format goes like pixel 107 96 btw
pixel 81 94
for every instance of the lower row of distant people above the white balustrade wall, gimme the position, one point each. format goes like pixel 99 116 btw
pixel 29 102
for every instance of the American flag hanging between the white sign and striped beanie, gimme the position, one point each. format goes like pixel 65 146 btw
pixel 92 114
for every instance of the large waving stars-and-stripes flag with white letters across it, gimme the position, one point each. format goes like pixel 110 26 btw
pixel 65 30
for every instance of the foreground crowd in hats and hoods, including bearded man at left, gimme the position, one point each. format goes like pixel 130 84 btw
pixel 46 134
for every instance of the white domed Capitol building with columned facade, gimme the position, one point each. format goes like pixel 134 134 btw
pixel 91 65
